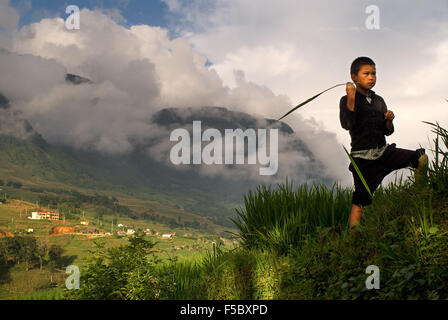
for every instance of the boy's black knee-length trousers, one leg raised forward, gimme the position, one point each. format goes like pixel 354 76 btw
pixel 374 171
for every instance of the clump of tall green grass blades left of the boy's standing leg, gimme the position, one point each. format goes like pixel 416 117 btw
pixel 277 219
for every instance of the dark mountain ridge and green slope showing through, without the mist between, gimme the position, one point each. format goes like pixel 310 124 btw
pixel 25 154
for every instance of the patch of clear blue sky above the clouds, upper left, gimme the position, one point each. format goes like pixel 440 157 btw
pixel 153 12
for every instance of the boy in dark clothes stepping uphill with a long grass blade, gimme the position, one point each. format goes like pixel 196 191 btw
pixel 365 115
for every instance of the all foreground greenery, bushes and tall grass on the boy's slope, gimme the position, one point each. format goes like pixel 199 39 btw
pixel 295 244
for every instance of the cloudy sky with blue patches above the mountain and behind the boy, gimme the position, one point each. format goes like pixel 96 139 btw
pixel 257 56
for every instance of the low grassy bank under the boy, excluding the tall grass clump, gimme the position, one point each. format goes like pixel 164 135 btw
pixel 407 240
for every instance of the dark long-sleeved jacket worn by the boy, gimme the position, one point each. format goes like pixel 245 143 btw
pixel 367 124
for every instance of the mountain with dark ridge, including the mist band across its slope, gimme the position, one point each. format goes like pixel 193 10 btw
pixel 208 190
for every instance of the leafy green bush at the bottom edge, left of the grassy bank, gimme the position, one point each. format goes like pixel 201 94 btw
pixel 125 272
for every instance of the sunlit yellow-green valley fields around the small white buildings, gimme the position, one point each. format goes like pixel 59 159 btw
pixel 22 278
